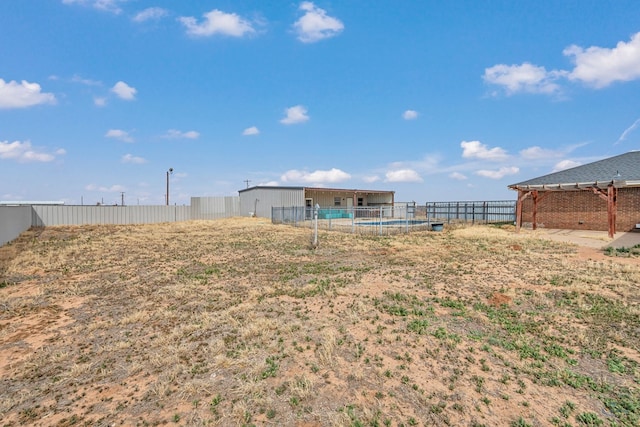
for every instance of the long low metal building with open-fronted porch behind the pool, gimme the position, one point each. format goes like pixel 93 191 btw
pixel 259 200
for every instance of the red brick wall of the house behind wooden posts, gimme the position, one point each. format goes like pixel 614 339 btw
pixel 583 210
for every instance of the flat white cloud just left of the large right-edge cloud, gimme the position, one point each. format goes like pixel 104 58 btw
pixel 526 78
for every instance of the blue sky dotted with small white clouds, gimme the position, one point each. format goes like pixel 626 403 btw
pixel 437 100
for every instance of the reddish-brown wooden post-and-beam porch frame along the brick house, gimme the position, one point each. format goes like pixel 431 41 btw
pixel 606 191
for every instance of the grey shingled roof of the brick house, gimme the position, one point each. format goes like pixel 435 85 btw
pixel 619 171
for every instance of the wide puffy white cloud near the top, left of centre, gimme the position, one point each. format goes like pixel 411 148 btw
pixel 217 22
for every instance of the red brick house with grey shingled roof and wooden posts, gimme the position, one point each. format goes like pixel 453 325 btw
pixel 603 195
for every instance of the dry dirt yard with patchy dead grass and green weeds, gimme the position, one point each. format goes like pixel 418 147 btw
pixel 240 322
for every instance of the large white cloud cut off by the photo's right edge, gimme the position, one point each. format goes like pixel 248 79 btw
pixel 599 66
